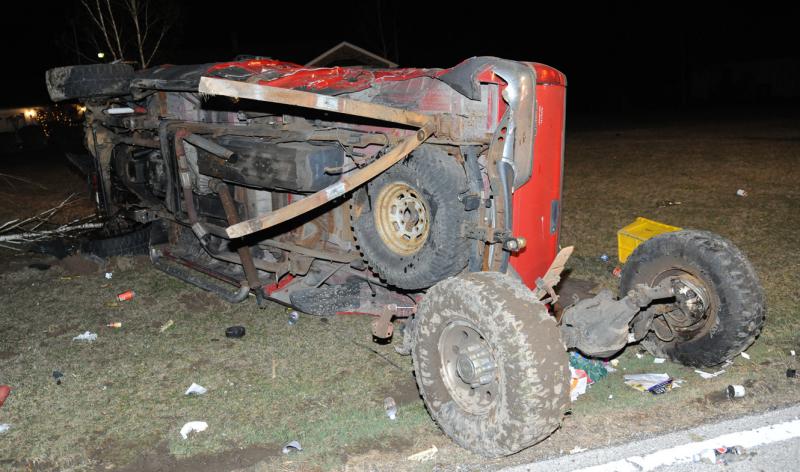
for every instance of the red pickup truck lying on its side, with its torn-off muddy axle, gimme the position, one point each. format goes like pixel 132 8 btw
pixel 426 196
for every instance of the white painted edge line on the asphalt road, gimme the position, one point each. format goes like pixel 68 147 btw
pixel 685 452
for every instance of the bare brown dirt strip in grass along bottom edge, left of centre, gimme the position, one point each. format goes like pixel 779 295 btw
pixel 160 459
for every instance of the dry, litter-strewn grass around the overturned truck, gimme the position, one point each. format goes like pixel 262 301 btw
pixel 121 403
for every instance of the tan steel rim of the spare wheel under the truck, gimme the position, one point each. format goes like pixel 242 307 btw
pixel 402 218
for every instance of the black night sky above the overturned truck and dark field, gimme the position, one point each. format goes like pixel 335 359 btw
pixel 617 56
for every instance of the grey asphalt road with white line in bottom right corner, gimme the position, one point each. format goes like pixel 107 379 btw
pixel 771 442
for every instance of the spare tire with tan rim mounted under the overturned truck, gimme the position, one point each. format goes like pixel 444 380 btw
pixel 427 246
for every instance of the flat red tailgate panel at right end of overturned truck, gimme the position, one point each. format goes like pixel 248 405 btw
pixel 532 202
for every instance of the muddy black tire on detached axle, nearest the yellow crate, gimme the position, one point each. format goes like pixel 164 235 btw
pixel 719 277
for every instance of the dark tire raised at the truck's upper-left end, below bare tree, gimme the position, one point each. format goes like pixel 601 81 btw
pixel 88 81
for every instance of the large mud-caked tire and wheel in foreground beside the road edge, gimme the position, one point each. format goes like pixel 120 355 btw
pixel 490 363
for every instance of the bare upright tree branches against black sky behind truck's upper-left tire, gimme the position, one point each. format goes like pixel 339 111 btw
pixel 130 30
